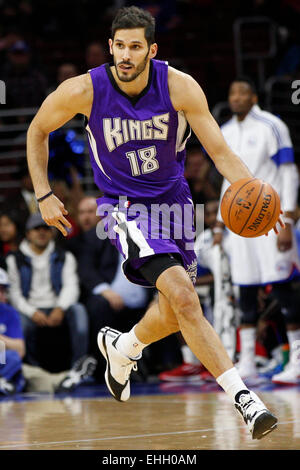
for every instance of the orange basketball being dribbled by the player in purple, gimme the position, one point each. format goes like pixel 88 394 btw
pixel 250 207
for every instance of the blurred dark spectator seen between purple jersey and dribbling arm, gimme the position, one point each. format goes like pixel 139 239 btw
pixel 199 175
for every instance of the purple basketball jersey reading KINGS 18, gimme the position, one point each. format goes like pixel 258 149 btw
pixel 137 145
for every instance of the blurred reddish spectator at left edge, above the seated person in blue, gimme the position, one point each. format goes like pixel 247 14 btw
pixel 11 232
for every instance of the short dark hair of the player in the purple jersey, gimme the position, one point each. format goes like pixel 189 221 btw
pixel 134 17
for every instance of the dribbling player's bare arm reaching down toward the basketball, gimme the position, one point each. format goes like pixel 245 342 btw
pixel 187 95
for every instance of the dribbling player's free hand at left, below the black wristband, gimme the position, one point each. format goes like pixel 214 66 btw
pixel 53 212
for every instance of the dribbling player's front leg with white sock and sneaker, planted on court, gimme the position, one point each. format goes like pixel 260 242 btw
pixel 206 345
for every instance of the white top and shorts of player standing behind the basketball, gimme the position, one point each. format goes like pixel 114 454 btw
pixel 263 143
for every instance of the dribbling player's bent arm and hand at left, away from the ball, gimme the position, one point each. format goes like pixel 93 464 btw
pixel 72 97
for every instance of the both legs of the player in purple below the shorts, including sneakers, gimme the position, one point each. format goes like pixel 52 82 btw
pixel 179 298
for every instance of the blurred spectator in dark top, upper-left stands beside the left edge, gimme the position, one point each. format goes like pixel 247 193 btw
pixel 25 85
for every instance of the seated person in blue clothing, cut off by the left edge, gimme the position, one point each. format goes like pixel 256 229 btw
pixel 11 335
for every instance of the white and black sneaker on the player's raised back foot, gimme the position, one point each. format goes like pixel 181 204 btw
pixel 118 366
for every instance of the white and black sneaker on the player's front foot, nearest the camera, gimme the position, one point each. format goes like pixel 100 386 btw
pixel 258 418
